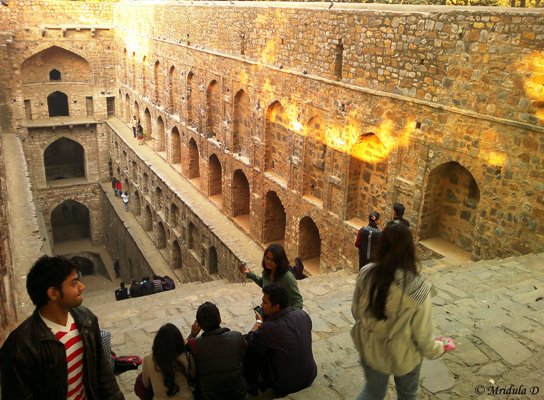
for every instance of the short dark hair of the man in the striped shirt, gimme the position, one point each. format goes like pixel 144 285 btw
pixel 45 273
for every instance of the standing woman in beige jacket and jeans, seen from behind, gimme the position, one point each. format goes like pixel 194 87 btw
pixel 393 328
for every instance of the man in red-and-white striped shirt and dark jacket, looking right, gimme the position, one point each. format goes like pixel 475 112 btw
pixel 33 359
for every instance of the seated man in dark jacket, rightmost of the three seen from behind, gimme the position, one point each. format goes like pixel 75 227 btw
pixel 280 347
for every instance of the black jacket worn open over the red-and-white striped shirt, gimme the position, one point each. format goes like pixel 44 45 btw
pixel 33 363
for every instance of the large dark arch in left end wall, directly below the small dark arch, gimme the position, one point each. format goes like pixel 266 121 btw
pixel 64 159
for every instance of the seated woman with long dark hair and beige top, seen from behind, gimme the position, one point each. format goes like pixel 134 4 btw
pixel 169 369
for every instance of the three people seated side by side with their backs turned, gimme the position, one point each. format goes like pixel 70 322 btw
pixel 276 353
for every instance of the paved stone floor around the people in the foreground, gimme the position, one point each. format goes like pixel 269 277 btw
pixel 493 310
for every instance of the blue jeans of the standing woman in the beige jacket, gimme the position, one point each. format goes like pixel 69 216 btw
pixel 376 385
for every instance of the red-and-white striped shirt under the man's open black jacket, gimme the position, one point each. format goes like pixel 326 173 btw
pixel 70 337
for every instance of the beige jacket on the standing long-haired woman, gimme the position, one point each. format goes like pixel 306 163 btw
pixel 399 343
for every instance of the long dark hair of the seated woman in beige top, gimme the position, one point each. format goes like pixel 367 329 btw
pixel 167 347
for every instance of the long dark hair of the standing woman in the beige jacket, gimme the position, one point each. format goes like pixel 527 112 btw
pixel 395 250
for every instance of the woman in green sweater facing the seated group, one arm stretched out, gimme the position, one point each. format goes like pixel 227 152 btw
pixel 276 270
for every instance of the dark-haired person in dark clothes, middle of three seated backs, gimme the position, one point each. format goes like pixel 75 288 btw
pixel 219 355
